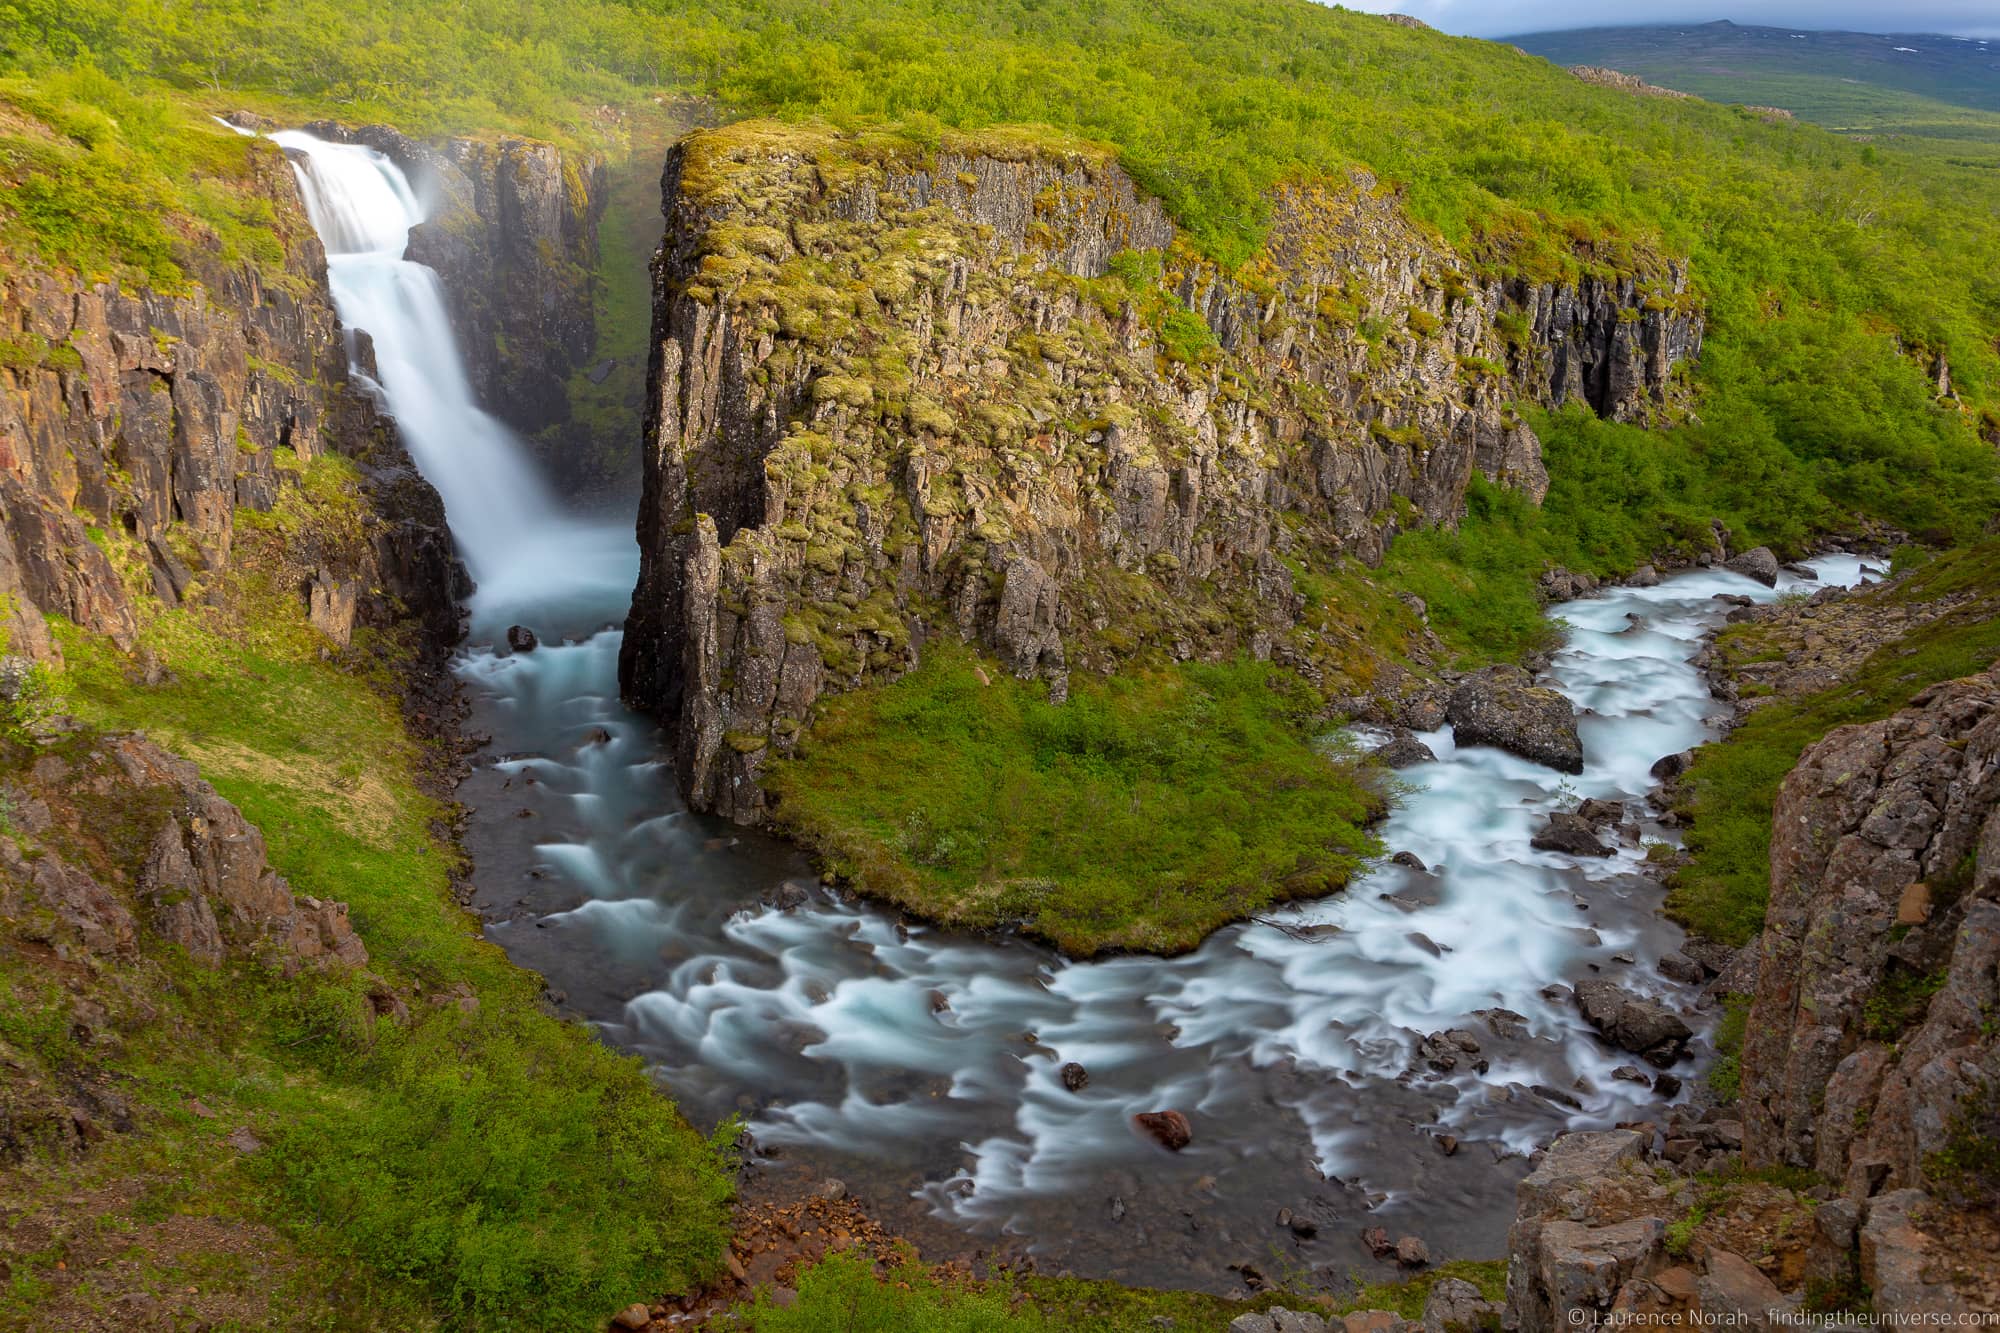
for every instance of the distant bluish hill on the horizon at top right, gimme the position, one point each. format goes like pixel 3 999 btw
pixel 1897 83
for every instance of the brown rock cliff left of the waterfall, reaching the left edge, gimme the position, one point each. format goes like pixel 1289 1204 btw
pixel 137 425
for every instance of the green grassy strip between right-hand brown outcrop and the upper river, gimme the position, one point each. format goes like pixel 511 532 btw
pixel 1723 890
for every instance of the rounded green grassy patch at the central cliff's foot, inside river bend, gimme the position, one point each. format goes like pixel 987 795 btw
pixel 1143 814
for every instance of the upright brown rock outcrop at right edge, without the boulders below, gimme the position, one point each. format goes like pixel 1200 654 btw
pixel 1871 1044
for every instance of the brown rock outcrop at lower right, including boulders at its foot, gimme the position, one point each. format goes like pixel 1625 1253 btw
pixel 1861 1166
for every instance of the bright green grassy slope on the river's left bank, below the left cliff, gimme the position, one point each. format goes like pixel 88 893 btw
pixel 491 1166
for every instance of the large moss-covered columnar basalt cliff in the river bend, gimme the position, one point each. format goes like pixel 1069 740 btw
pixel 993 393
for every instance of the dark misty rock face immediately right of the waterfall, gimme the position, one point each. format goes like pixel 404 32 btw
pixel 513 233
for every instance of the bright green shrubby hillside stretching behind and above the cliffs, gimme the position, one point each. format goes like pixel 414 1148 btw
pixel 1837 273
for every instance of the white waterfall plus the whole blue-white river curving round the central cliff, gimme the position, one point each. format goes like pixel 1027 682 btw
pixel 921 1066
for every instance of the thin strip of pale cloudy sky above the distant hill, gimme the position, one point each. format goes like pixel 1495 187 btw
pixel 1509 17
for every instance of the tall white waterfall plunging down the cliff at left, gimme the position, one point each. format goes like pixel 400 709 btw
pixel 363 207
